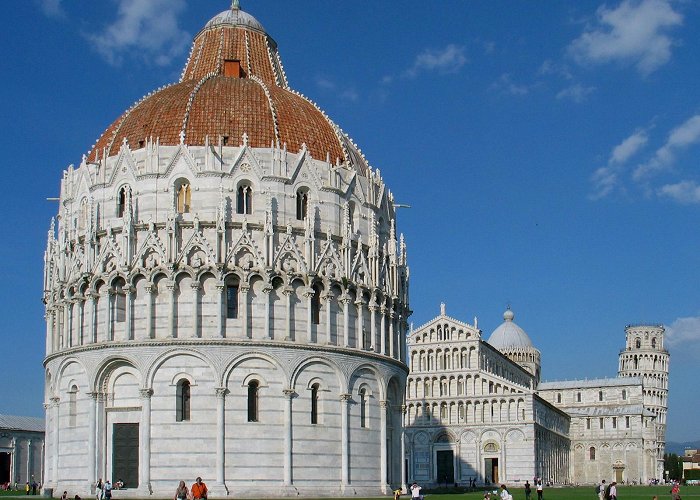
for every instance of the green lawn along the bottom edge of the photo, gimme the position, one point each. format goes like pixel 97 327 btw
pixel 581 493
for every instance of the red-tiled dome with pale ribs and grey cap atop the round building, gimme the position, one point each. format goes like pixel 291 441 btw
pixel 233 83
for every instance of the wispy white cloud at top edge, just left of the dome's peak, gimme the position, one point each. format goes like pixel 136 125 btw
pixel 145 28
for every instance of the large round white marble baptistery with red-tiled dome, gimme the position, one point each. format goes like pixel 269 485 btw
pixel 225 292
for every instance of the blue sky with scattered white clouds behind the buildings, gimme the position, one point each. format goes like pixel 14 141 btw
pixel 549 152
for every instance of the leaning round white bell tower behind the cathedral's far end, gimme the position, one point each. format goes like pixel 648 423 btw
pixel 646 357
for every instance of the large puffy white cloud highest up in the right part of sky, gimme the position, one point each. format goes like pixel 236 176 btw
pixel 635 32
